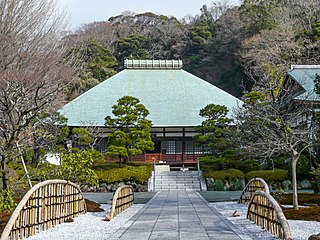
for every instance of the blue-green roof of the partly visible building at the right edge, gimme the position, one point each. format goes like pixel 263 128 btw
pixel 305 76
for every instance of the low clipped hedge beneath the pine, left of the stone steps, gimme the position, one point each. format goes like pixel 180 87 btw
pixel 129 173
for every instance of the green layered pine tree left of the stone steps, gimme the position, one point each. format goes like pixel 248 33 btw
pixel 130 129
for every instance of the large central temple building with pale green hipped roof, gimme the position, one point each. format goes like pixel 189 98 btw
pixel 173 97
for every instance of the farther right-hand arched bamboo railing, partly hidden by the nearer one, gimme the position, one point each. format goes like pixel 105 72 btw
pixel 255 184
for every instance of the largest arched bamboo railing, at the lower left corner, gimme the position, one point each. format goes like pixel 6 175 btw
pixel 44 206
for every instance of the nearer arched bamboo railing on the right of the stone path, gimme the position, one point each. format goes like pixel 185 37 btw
pixel 265 211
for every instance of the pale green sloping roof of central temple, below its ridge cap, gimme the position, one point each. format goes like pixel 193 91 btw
pixel 173 97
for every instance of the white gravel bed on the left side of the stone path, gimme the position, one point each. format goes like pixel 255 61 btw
pixel 89 226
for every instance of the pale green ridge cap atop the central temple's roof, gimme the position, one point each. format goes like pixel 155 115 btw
pixel 152 64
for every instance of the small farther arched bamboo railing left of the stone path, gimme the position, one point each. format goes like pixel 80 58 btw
pixel 123 198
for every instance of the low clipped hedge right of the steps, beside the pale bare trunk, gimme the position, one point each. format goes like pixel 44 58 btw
pixel 269 175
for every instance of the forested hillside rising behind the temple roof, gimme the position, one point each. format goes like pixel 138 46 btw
pixel 229 46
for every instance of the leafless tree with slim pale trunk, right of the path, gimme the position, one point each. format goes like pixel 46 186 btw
pixel 267 128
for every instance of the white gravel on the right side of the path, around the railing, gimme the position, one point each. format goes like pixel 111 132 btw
pixel 300 230
